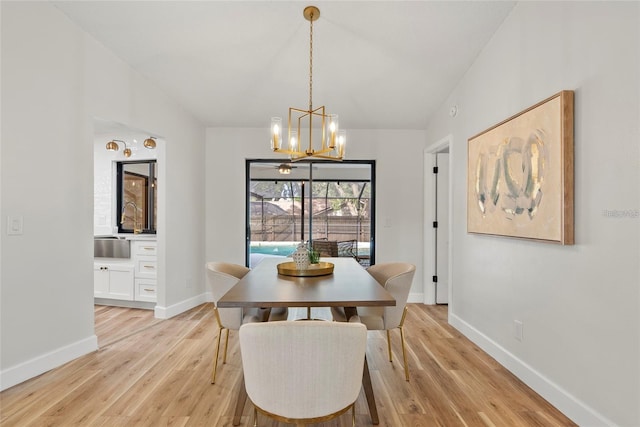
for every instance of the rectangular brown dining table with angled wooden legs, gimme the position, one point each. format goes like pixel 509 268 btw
pixel 348 286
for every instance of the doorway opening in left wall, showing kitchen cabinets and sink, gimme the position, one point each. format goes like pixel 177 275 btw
pixel 128 212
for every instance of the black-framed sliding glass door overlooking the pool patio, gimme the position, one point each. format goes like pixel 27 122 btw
pixel 306 201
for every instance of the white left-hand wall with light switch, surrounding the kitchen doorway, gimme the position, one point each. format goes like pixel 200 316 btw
pixel 55 80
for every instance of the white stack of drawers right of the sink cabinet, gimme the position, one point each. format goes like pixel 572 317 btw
pixel 146 267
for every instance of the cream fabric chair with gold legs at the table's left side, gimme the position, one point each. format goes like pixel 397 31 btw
pixel 221 276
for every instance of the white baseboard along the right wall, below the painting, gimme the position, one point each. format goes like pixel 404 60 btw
pixel 573 408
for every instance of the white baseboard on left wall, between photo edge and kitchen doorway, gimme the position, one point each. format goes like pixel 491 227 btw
pixel 41 364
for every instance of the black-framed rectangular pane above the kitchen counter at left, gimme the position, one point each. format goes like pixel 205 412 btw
pixel 137 200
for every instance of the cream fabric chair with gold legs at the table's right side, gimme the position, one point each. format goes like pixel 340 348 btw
pixel 396 277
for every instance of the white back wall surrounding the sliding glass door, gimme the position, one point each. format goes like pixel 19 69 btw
pixel 398 156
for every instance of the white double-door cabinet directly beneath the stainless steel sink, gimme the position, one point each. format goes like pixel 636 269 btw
pixel 113 280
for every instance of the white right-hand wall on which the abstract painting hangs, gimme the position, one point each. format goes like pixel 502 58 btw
pixel 579 304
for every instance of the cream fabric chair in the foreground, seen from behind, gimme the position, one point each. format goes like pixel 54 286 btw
pixel 303 372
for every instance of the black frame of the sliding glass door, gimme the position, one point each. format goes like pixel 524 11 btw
pixel 310 163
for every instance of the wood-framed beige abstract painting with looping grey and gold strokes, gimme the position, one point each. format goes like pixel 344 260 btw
pixel 520 174
